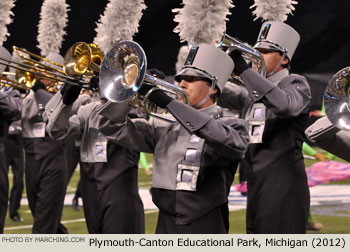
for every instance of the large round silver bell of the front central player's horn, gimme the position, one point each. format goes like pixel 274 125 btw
pixel 122 71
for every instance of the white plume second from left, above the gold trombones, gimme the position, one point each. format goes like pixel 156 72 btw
pixel 53 20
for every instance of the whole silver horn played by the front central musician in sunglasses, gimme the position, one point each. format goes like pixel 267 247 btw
pixel 123 72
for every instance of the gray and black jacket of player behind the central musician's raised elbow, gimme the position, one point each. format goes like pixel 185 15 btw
pixel 108 163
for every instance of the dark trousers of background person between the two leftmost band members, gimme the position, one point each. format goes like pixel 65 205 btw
pixel 15 159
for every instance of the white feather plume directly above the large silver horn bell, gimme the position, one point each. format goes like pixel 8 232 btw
pixel 120 21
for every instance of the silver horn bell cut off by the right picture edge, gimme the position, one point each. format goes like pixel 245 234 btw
pixel 337 98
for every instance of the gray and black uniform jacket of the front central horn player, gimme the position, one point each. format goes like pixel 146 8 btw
pixel 194 160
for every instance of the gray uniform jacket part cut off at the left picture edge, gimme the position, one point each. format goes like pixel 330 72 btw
pixel 10 110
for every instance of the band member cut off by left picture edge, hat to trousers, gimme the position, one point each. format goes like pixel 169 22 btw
pixel 10 110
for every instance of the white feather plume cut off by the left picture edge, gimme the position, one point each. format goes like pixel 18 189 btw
pixel 5 18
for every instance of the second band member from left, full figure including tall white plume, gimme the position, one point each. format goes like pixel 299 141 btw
pixel 45 169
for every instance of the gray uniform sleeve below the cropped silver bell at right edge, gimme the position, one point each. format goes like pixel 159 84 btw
pixel 325 135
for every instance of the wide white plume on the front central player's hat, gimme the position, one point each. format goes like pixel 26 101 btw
pixel 202 21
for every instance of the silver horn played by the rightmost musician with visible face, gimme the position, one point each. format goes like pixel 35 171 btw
pixel 229 44
